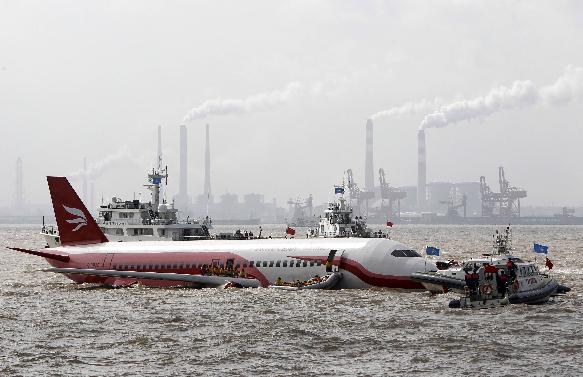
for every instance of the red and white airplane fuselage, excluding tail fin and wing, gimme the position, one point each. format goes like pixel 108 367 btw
pixel 364 262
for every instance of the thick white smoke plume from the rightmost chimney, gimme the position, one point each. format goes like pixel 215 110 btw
pixel 567 88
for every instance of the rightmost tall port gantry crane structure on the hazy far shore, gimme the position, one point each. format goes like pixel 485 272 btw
pixel 507 201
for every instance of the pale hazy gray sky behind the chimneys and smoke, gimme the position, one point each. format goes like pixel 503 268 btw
pixel 94 78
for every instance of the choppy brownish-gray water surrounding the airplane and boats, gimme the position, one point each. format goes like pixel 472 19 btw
pixel 53 327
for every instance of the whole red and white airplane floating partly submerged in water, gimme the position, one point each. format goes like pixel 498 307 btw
pixel 86 256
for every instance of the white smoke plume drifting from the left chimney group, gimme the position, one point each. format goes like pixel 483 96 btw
pixel 254 103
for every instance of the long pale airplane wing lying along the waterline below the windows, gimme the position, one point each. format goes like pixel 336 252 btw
pixel 203 281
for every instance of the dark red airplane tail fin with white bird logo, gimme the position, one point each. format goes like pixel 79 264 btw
pixel 76 225
